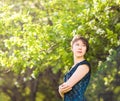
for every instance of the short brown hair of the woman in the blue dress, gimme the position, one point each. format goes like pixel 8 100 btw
pixel 84 40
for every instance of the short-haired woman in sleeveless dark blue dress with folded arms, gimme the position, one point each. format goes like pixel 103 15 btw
pixel 77 79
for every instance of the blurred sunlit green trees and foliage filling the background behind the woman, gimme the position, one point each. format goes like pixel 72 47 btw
pixel 35 48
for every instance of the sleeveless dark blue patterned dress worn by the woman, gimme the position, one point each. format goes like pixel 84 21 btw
pixel 78 90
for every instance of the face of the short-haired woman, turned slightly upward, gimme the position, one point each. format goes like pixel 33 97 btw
pixel 79 48
